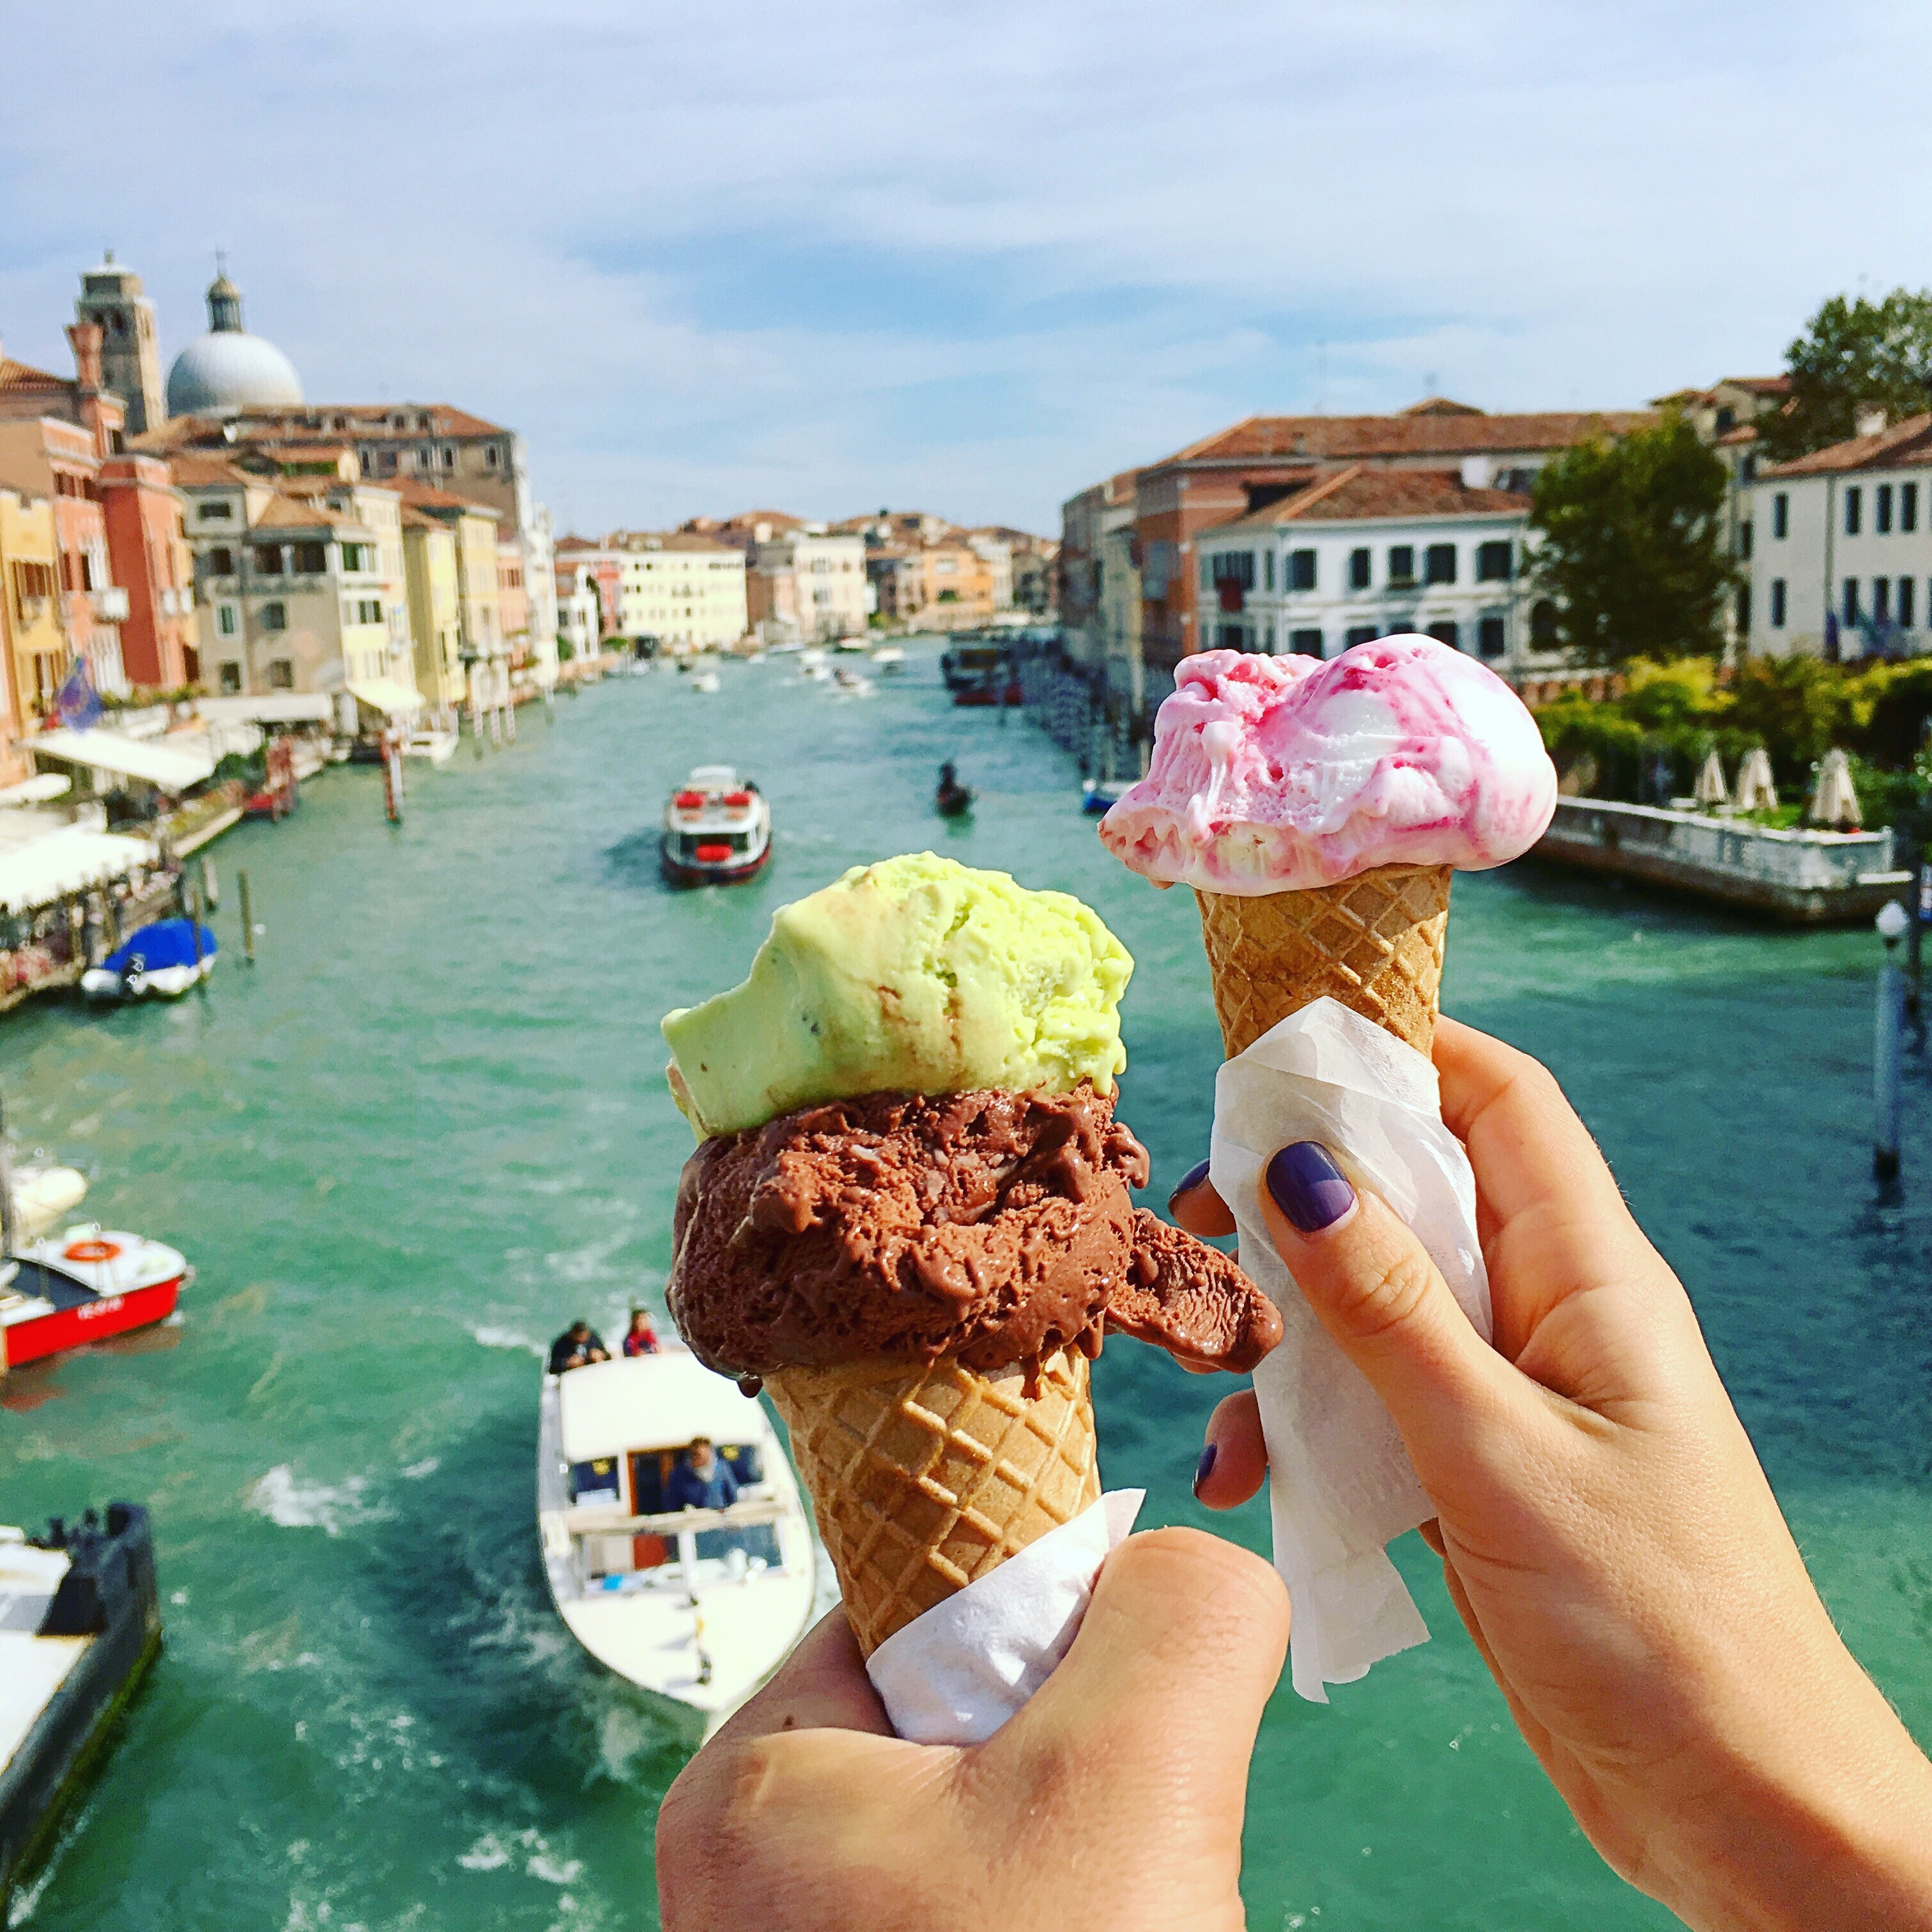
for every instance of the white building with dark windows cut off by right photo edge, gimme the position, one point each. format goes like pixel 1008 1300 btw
pixel 1840 548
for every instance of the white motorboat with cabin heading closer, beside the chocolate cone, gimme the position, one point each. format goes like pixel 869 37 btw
pixel 696 1606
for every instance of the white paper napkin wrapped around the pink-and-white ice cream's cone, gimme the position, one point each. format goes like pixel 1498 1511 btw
pixel 1342 1485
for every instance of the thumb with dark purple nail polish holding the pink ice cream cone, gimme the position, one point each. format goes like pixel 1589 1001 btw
pixel 1377 1292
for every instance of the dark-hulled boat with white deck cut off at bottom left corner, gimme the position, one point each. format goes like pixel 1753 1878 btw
pixel 80 1624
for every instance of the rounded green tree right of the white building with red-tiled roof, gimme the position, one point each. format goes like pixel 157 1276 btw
pixel 1632 554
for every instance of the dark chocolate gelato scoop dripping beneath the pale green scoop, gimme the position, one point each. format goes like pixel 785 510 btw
pixel 994 1228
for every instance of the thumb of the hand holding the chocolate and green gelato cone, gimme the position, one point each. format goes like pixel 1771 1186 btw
pixel 1162 1691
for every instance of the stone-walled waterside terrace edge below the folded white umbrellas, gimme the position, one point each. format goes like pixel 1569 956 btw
pixel 1800 878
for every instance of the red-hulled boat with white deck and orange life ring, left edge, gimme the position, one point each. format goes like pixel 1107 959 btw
pixel 84 1286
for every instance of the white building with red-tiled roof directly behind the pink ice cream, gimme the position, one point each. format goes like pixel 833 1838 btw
pixel 1367 554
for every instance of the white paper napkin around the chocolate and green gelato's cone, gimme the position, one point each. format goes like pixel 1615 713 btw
pixel 961 1670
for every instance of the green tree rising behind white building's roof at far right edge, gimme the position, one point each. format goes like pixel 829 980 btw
pixel 1854 355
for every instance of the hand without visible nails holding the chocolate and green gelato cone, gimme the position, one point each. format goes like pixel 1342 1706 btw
pixel 1112 1802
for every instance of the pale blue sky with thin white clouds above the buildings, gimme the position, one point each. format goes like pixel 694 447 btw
pixel 961 258
